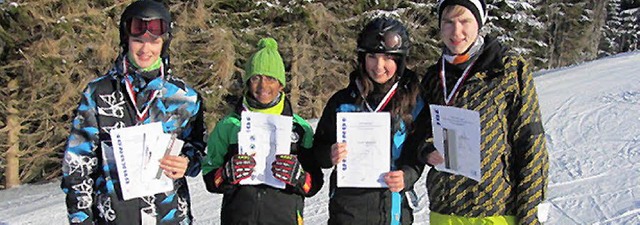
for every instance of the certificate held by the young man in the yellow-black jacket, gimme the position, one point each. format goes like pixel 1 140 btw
pixel 456 134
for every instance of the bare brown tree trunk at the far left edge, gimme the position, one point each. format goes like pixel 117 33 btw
pixel 12 171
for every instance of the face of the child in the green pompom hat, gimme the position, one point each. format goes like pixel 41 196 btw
pixel 265 89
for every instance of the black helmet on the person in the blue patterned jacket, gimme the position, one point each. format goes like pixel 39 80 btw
pixel 147 10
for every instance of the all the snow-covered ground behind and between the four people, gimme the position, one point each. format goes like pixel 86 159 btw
pixel 591 114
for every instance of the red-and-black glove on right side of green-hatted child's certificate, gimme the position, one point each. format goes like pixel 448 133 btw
pixel 287 168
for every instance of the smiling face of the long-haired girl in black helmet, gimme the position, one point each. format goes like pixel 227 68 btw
pixel 380 67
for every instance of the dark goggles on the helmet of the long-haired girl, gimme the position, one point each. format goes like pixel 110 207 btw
pixel 384 42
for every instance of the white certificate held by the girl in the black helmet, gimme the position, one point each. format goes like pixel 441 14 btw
pixel 368 138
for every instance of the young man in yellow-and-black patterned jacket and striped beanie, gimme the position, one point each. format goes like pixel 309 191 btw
pixel 478 73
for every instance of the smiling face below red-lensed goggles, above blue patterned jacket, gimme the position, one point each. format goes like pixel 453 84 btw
pixel 145 51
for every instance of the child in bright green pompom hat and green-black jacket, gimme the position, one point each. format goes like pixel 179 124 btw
pixel 224 168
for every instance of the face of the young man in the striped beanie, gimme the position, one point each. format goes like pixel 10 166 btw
pixel 458 29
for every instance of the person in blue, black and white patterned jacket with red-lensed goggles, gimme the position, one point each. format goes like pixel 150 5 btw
pixel 139 89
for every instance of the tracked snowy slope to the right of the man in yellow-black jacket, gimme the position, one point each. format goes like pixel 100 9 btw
pixel 593 132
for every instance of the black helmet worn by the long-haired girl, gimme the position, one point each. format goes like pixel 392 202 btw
pixel 384 35
